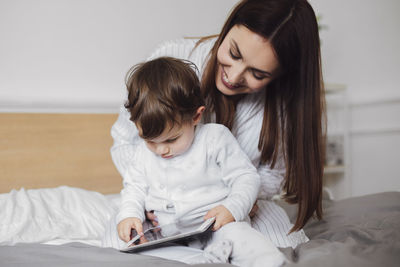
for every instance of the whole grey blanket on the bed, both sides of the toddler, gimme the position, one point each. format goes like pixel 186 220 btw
pixel 362 231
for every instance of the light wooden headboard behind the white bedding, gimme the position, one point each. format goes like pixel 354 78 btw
pixel 41 150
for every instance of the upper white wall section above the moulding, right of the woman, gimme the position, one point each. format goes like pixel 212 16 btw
pixel 360 46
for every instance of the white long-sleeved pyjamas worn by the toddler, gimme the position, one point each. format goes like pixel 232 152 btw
pixel 214 171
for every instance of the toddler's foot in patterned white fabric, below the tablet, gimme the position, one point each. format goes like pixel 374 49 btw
pixel 218 252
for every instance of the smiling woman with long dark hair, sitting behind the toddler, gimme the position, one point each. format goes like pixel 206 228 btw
pixel 262 79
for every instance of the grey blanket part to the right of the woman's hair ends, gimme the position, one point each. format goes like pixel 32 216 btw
pixel 361 231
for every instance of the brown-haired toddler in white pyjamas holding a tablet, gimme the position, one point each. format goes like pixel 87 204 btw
pixel 186 171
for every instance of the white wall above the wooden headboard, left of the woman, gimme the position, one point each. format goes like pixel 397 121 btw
pixel 72 55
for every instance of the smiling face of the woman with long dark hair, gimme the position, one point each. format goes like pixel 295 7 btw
pixel 246 62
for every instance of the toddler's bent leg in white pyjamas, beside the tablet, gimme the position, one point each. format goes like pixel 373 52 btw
pixel 249 247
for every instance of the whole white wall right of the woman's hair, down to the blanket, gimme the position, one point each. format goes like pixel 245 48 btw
pixel 360 48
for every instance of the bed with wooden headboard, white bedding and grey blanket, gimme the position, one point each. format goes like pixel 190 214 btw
pixel 58 186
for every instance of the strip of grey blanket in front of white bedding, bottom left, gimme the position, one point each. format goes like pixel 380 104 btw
pixel 78 254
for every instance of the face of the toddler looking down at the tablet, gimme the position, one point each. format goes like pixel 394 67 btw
pixel 173 141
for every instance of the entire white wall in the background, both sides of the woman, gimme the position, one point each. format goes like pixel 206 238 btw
pixel 72 55
